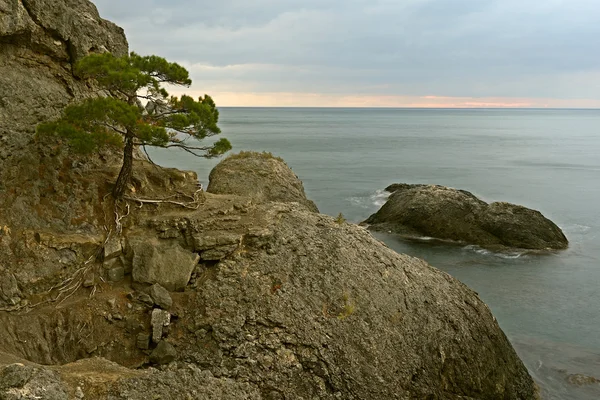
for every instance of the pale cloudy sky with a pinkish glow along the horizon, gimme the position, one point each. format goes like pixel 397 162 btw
pixel 375 53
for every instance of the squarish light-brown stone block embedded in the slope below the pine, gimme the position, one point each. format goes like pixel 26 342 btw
pixel 163 262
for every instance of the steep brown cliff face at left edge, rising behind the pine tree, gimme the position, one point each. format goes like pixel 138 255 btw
pixel 49 200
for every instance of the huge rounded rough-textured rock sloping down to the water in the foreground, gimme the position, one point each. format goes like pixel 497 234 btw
pixel 333 313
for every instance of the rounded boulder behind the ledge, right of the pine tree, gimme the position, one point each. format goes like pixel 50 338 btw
pixel 260 176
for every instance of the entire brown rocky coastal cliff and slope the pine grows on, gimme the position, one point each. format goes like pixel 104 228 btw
pixel 228 296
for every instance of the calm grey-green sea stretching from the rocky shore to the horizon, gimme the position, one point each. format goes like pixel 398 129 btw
pixel 549 160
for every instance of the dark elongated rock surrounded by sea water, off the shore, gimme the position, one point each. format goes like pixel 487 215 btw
pixel 457 215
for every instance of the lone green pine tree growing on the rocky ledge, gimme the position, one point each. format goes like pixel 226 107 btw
pixel 120 119
